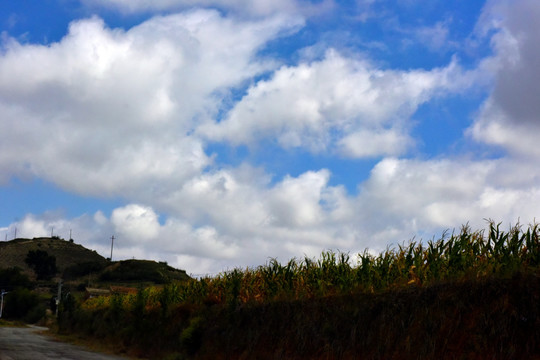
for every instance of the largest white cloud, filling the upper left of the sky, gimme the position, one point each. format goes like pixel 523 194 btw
pixel 108 112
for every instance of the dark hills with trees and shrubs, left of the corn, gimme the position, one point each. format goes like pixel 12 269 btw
pixel 30 270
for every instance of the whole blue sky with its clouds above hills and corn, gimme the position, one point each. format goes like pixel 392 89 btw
pixel 216 134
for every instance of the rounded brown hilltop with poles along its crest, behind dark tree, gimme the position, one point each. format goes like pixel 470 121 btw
pixel 13 253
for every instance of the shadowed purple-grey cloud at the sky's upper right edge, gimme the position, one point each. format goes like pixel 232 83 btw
pixel 510 116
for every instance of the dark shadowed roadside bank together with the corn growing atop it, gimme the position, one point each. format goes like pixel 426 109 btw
pixel 472 294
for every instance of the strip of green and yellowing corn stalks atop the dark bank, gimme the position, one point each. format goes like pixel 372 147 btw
pixel 465 255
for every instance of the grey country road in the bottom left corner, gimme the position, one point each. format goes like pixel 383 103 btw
pixel 17 343
